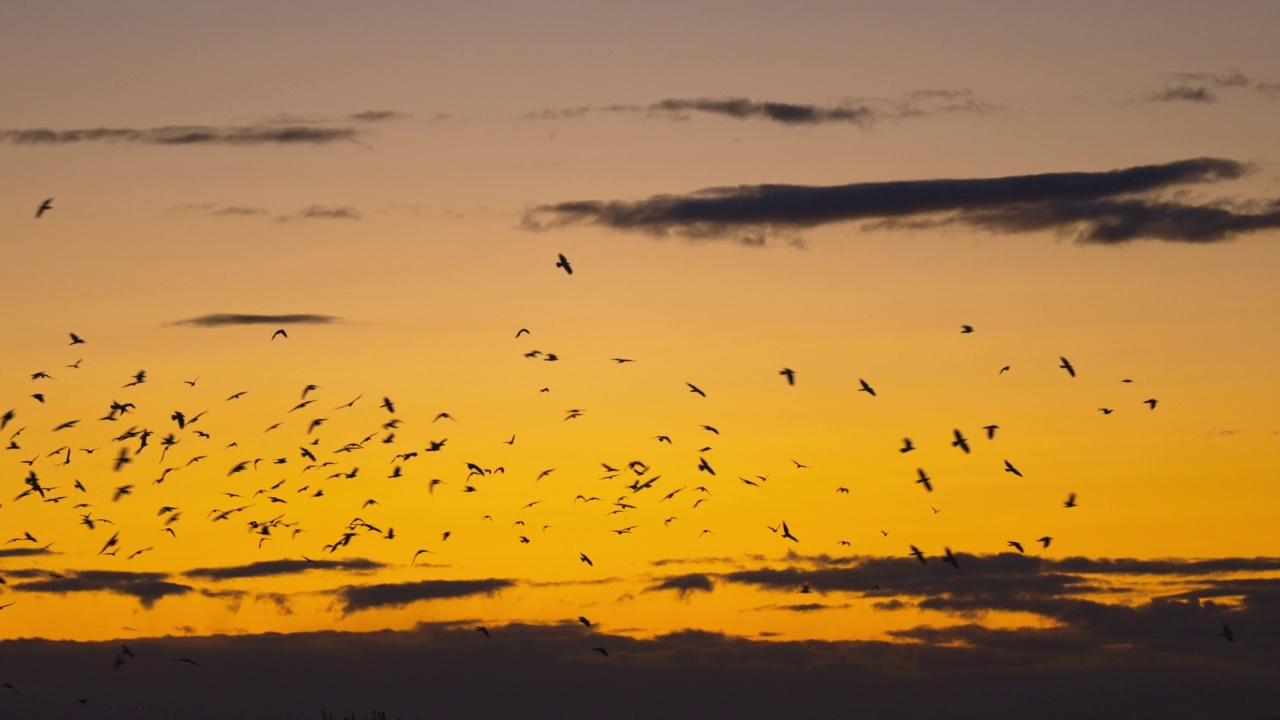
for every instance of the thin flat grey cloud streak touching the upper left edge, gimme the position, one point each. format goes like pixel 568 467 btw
pixel 185 135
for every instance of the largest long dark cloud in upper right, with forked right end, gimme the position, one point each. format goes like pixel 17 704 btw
pixel 1110 207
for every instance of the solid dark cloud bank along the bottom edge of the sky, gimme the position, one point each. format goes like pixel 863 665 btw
pixel 957 672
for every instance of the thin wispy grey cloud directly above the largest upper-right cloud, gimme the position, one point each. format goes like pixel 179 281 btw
pixel 860 113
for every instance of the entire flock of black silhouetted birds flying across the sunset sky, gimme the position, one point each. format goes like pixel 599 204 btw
pixel 49 468
